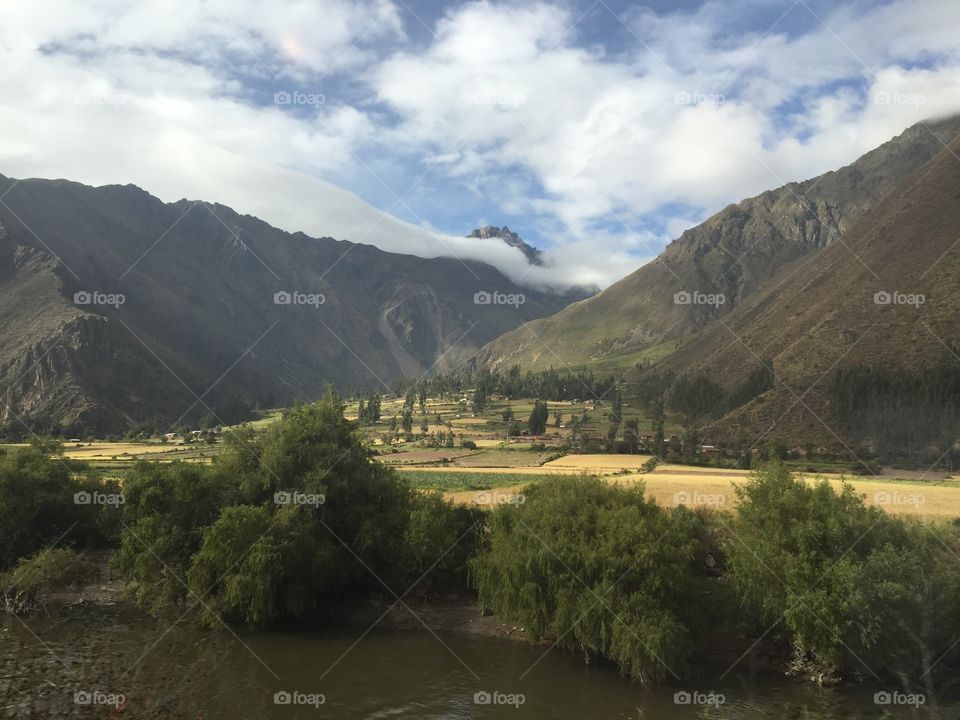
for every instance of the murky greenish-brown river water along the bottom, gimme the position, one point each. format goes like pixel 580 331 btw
pixel 117 663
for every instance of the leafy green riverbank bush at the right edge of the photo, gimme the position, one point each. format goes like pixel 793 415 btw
pixel 858 591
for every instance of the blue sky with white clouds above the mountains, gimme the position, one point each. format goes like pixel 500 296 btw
pixel 598 131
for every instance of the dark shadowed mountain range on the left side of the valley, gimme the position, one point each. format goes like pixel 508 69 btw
pixel 118 309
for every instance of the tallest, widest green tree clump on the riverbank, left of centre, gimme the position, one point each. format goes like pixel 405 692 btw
pixel 285 526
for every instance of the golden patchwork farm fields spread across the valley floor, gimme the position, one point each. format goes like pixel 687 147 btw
pixel 507 464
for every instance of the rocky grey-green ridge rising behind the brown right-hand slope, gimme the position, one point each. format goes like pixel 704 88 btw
pixel 712 268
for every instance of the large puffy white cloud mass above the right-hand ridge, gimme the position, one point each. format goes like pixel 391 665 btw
pixel 691 117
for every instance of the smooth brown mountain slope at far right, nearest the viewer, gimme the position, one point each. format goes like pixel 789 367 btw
pixel 884 300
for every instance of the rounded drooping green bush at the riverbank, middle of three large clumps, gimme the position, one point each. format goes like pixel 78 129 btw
pixel 604 570
